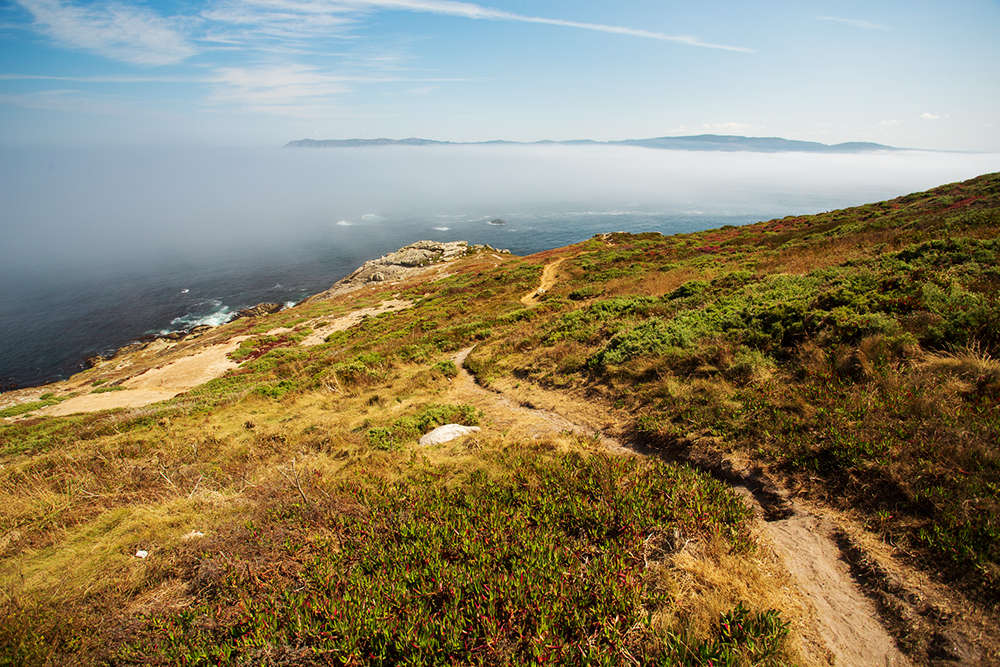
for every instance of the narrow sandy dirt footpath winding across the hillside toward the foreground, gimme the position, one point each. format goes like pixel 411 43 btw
pixel 845 620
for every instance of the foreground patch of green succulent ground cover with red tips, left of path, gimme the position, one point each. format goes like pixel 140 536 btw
pixel 543 564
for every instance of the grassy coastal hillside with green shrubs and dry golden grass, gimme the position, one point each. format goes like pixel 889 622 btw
pixel 846 362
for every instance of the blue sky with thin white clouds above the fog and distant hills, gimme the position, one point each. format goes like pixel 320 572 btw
pixel 262 72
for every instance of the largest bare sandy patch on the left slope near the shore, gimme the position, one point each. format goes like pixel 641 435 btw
pixel 157 384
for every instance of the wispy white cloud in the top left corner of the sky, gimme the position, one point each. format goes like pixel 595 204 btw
pixel 118 31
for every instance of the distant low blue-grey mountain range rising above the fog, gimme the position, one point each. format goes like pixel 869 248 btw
pixel 701 142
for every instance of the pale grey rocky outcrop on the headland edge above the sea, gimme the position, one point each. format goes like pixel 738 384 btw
pixel 406 262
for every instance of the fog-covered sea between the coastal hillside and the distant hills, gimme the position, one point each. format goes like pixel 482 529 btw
pixel 99 247
